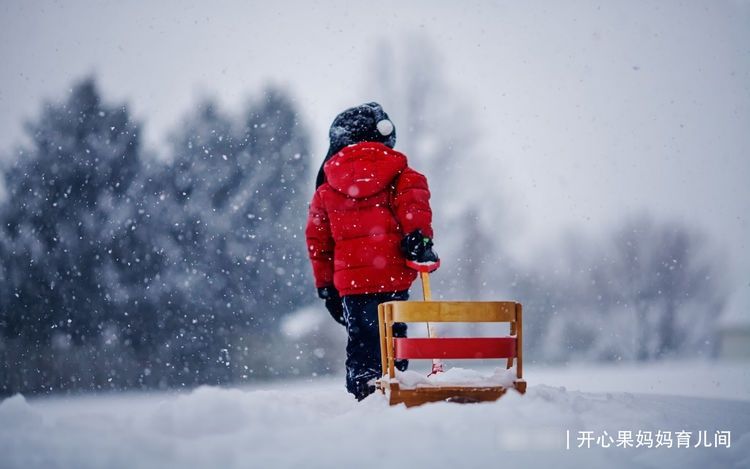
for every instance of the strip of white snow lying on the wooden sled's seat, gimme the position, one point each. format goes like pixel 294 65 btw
pixel 456 377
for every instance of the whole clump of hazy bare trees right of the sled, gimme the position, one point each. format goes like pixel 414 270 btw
pixel 645 290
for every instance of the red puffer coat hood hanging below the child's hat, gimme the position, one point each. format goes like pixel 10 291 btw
pixel 363 169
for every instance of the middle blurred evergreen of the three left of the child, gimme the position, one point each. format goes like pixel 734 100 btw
pixel 199 288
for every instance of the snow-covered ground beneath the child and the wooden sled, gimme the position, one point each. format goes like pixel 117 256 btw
pixel 316 424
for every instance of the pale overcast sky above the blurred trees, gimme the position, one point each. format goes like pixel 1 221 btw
pixel 592 110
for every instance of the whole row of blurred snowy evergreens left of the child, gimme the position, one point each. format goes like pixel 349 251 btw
pixel 121 270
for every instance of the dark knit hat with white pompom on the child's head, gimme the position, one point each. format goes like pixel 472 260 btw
pixel 365 123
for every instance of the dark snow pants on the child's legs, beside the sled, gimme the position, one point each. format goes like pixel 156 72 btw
pixel 363 347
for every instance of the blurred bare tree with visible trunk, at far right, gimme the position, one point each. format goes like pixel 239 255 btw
pixel 665 275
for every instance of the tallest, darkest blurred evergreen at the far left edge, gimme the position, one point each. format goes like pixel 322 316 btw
pixel 66 210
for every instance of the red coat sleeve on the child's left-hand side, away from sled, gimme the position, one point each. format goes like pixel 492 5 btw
pixel 320 243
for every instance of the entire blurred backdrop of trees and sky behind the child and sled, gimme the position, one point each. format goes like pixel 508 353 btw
pixel 590 160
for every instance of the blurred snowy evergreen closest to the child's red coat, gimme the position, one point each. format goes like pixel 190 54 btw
pixel 278 146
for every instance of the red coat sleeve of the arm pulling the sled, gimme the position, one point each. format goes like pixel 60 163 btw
pixel 411 203
